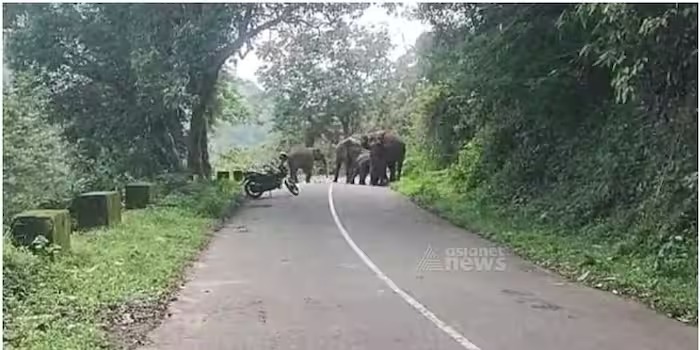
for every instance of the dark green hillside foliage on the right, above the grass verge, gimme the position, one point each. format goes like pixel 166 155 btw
pixel 553 139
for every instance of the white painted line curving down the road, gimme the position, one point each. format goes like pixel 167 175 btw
pixel 462 340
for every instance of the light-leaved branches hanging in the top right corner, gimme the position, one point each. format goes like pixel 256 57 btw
pixel 633 41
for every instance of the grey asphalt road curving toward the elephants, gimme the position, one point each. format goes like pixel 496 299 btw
pixel 373 271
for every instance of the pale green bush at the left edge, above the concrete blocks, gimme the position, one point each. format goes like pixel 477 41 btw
pixel 35 167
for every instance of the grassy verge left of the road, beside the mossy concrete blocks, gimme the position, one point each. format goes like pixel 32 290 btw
pixel 60 302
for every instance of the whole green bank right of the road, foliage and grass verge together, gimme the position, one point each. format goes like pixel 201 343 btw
pixel 578 120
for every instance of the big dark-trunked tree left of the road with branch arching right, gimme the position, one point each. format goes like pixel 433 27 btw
pixel 146 63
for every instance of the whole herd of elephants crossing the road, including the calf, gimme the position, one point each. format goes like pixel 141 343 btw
pixel 371 154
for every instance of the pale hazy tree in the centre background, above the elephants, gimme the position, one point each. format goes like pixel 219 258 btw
pixel 324 80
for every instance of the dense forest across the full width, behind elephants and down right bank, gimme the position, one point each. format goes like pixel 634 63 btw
pixel 566 131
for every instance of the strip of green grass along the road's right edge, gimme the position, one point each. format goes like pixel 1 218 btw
pixel 578 256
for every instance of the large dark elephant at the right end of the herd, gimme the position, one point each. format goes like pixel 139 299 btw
pixel 386 150
